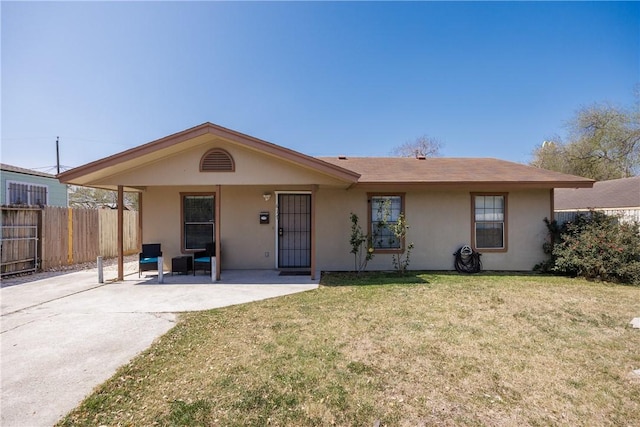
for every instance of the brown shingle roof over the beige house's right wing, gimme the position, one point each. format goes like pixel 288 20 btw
pixel 437 170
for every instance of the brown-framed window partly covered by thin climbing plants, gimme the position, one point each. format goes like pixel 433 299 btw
pixel 384 211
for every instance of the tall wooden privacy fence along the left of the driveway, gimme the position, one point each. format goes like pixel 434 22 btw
pixel 63 236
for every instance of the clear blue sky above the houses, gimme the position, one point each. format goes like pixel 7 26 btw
pixel 485 79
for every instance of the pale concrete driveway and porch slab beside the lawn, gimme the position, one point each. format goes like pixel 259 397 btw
pixel 62 336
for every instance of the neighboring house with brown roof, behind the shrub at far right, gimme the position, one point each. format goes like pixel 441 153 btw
pixel 620 197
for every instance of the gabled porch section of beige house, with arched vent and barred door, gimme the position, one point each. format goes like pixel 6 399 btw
pixel 255 201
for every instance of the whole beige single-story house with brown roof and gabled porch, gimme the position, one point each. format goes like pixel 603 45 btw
pixel 269 207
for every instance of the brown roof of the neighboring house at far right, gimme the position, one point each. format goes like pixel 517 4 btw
pixel 616 193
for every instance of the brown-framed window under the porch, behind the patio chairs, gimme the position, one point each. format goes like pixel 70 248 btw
pixel 198 221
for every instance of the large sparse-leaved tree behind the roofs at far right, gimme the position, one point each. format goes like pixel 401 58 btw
pixel 603 143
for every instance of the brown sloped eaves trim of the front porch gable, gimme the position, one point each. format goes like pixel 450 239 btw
pixel 172 144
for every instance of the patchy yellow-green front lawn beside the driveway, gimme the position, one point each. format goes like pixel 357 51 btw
pixel 436 349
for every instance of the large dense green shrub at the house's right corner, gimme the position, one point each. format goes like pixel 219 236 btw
pixel 595 246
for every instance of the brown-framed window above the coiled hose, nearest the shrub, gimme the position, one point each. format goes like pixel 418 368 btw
pixel 490 219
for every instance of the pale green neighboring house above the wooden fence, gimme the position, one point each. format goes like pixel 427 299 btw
pixel 26 187
